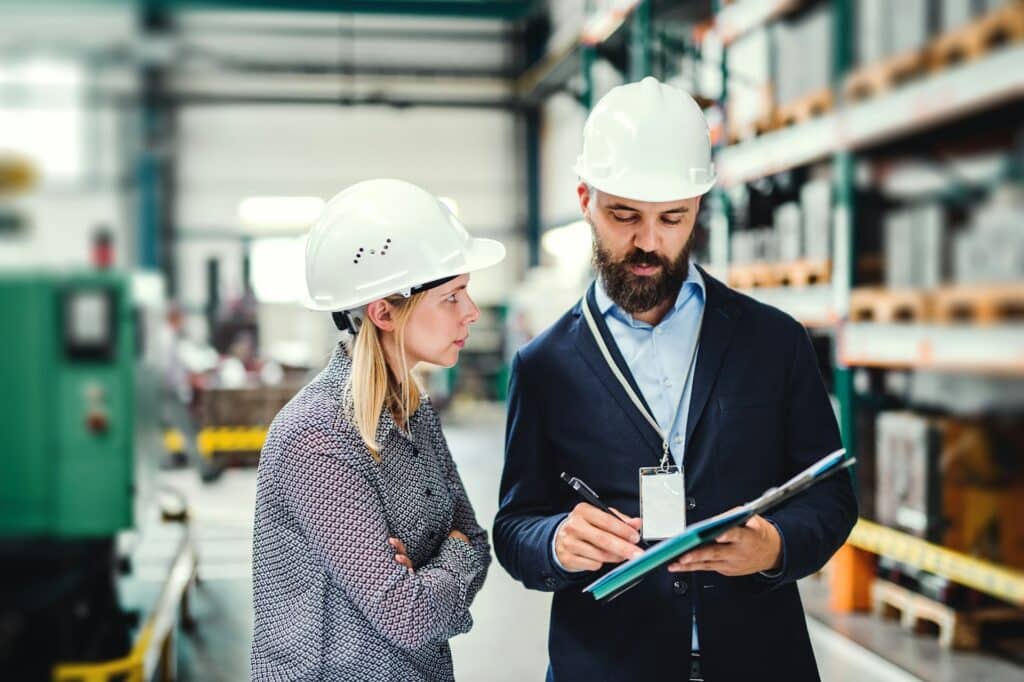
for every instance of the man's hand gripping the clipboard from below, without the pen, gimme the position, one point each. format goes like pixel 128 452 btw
pixel 746 549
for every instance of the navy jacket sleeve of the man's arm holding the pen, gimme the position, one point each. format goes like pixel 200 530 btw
pixel 528 518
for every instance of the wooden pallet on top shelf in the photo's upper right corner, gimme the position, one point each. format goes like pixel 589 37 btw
pixel 978 38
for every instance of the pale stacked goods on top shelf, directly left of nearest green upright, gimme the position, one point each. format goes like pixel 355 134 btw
pixel 803 87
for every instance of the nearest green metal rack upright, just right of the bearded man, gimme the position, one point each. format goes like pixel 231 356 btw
pixel 844 259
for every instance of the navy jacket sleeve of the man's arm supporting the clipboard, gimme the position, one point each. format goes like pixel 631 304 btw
pixel 815 525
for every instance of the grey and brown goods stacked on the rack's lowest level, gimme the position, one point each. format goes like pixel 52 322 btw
pixel 952 483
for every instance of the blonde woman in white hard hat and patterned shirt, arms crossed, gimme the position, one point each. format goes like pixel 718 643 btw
pixel 367 551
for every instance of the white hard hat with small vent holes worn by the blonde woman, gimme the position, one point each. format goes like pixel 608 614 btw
pixel 385 237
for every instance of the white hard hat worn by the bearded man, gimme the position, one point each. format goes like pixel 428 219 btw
pixel 649 142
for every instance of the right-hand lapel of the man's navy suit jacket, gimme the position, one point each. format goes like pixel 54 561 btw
pixel 719 324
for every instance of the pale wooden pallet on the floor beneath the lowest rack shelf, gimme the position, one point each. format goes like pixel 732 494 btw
pixel 960 630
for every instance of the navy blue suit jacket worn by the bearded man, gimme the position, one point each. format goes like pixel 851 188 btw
pixel 759 414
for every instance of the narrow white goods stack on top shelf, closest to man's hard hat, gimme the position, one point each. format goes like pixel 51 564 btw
pixel 748 62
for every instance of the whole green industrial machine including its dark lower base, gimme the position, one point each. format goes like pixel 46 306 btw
pixel 71 371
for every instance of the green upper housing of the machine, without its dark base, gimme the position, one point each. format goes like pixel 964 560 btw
pixel 67 370
